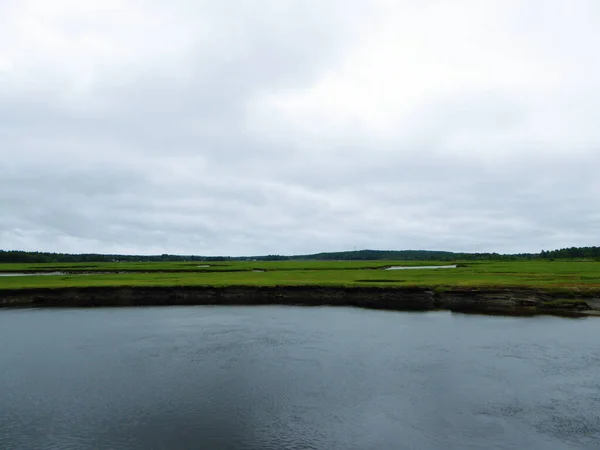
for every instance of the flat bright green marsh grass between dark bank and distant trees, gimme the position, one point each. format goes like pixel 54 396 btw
pixel 567 276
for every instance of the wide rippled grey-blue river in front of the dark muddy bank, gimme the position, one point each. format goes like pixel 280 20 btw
pixel 295 378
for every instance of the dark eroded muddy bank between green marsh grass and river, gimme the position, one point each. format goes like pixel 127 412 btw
pixel 502 301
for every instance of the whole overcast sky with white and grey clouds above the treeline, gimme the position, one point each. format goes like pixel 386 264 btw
pixel 250 127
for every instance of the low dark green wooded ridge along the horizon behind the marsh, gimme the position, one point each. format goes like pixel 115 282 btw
pixel 17 256
